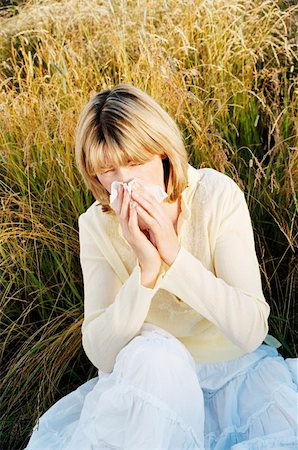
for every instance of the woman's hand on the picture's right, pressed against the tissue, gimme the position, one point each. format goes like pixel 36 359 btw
pixel 161 230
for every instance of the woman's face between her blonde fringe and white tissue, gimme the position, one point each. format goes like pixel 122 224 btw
pixel 151 171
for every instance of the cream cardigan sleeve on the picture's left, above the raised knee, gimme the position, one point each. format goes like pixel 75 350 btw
pixel 114 311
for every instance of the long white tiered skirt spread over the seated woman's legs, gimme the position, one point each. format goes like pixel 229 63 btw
pixel 159 398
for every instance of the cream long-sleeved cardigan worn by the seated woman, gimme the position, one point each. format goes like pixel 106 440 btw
pixel 210 298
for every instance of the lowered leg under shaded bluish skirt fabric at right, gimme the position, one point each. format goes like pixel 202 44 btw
pixel 250 403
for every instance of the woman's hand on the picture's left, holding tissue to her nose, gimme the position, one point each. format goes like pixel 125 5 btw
pixel 148 256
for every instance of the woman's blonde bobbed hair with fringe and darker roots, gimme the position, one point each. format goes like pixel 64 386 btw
pixel 123 125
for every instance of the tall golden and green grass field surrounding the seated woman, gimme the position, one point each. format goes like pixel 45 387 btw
pixel 226 70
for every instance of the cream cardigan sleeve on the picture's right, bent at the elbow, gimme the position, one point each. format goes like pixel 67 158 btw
pixel 232 298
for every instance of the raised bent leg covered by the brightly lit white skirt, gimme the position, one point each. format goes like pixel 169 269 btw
pixel 151 401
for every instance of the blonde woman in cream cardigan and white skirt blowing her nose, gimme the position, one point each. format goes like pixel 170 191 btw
pixel 174 313
